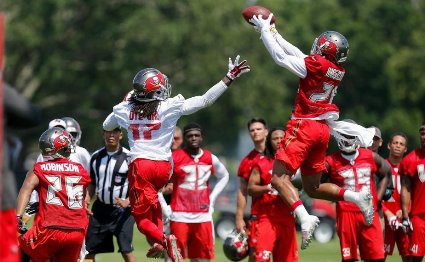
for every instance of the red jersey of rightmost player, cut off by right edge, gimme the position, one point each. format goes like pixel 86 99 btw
pixel 413 165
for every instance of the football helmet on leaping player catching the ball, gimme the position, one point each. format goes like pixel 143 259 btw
pixel 332 45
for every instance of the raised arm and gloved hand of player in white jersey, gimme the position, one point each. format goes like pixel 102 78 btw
pixel 196 103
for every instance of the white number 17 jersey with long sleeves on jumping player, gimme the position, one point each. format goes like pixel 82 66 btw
pixel 151 138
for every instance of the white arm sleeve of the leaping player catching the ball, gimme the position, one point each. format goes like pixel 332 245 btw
pixel 293 63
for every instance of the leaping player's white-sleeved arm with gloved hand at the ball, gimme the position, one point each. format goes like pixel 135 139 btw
pixel 294 63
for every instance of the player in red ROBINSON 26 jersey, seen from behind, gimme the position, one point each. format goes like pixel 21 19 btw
pixel 59 229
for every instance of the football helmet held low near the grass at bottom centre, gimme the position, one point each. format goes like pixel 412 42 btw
pixel 235 246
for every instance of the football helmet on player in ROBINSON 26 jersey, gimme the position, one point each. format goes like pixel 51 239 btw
pixel 55 143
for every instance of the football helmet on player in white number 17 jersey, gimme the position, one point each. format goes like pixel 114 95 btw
pixel 150 84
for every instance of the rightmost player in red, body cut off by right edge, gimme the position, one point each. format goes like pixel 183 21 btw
pixel 412 174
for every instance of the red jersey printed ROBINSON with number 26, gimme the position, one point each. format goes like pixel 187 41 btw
pixel 62 190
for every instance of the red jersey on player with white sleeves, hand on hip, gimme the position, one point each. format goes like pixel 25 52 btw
pixel 191 189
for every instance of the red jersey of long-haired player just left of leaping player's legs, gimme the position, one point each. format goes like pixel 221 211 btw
pixel 270 205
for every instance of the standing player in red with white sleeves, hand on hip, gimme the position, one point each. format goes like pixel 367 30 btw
pixel 192 201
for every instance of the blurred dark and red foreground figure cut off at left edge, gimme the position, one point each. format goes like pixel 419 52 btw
pixel 19 113
